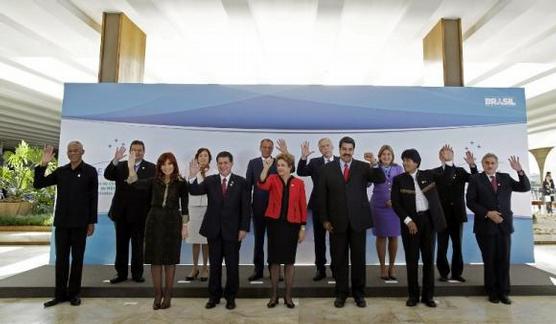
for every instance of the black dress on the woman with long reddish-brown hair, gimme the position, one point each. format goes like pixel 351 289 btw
pixel 164 220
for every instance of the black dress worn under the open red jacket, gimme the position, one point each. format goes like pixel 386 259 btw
pixel 282 235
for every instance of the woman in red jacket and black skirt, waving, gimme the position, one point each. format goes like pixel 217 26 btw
pixel 286 215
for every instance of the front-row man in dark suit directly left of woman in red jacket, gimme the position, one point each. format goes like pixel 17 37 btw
pixel 225 225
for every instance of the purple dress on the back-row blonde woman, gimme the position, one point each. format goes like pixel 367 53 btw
pixel 385 220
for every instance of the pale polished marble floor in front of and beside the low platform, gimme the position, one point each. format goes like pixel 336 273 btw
pixel 529 309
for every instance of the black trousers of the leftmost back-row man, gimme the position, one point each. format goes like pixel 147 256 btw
pixel 127 231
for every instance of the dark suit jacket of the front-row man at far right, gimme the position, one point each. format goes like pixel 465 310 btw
pixel 481 198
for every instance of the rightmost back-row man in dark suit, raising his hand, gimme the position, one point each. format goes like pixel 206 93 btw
pixel 450 181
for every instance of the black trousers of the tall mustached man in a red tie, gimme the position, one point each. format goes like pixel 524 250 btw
pixel 343 246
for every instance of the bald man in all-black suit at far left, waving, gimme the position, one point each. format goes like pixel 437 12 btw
pixel 74 218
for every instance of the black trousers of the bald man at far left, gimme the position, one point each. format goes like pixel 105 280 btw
pixel 69 240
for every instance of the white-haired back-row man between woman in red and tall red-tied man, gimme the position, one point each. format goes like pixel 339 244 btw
pixel 313 170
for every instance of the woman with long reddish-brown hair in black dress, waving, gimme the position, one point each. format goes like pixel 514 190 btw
pixel 163 228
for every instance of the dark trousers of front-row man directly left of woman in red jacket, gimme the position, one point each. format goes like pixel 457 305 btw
pixel 229 251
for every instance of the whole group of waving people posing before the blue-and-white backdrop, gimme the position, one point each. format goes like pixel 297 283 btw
pixel 154 207
